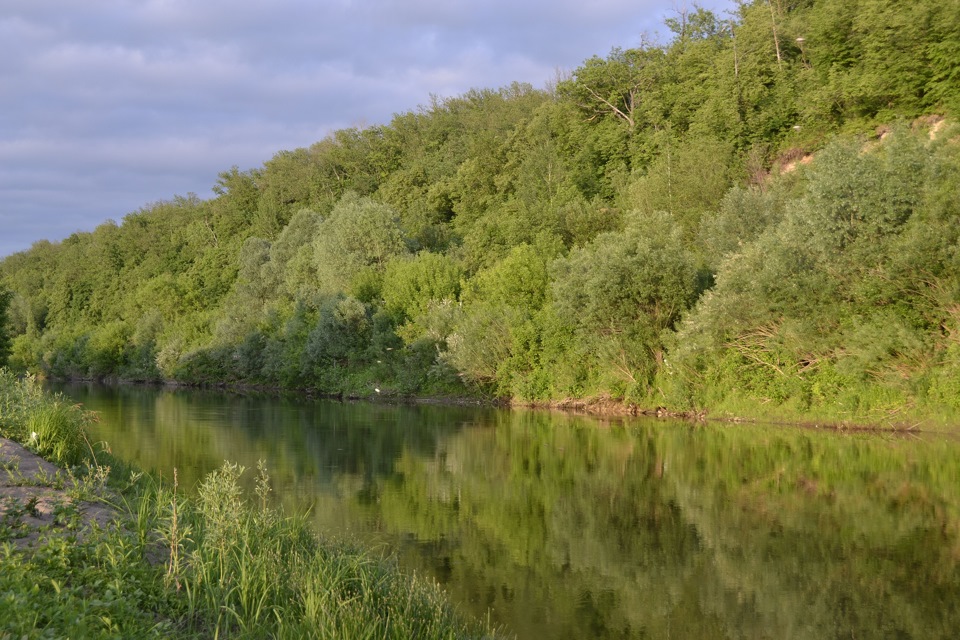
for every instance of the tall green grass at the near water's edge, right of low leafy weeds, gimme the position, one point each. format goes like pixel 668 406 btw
pixel 250 571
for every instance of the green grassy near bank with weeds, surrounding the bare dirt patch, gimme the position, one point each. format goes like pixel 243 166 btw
pixel 219 564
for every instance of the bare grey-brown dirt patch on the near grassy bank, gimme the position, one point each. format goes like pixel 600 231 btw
pixel 38 498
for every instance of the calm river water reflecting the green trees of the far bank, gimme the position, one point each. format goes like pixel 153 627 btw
pixel 563 527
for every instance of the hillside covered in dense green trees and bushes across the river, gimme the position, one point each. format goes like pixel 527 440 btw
pixel 759 216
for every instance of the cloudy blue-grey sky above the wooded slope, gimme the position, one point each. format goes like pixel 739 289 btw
pixel 107 106
